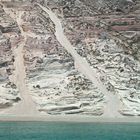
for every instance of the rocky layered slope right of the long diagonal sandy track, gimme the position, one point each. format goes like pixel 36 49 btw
pixel 106 33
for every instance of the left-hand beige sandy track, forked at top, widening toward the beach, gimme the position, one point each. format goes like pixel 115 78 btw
pixel 26 106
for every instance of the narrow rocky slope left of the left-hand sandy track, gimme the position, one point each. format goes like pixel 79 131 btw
pixel 8 90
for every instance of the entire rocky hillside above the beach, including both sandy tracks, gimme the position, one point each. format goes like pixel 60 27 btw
pixel 89 63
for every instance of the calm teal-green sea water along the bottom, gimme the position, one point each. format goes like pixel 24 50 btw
pixel 68 131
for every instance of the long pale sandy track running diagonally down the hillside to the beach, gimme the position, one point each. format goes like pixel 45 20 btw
pixel 112 101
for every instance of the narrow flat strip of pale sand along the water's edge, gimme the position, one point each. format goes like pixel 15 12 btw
pixel 74 119
